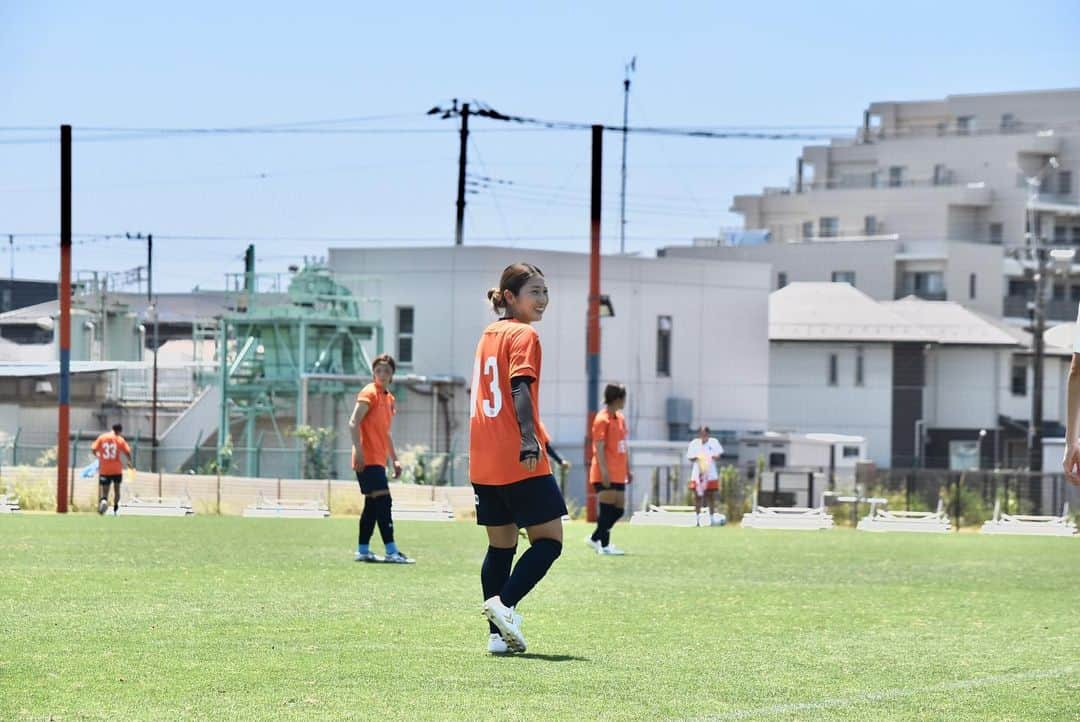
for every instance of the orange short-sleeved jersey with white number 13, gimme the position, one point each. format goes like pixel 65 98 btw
pixel 508 349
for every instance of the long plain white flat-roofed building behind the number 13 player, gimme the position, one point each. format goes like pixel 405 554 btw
pixel 674 335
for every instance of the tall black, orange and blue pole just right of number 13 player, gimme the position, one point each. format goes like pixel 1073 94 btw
pixel 593 317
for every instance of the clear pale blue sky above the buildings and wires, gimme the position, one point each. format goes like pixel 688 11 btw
pixel 239 64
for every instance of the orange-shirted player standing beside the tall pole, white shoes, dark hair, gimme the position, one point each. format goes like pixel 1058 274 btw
pixel 611 469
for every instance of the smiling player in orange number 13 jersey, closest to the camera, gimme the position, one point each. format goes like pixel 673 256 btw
pixel 509 464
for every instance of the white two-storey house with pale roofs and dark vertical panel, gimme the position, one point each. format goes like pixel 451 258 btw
pixel 919 379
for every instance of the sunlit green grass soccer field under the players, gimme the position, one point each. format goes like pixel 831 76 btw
pixel 218 618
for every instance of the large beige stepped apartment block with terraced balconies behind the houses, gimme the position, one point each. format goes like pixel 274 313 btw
pixel 930 199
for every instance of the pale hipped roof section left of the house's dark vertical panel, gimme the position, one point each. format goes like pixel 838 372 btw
pixel 836 312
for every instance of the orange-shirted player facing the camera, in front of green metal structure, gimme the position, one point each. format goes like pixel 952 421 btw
pixel 372 446
